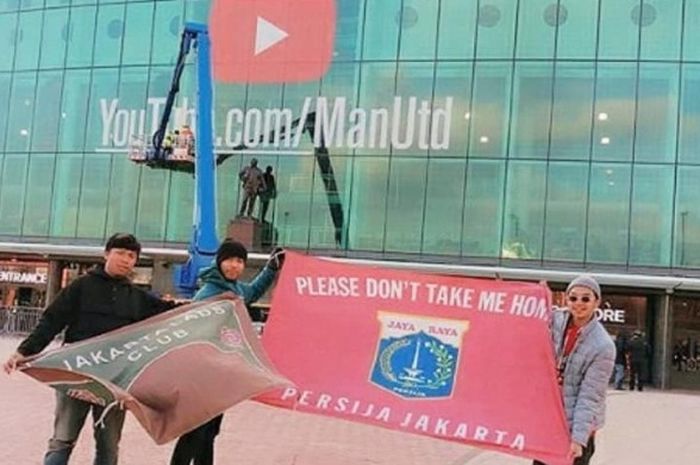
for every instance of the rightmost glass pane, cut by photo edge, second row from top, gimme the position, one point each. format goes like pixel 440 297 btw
pixel 689 133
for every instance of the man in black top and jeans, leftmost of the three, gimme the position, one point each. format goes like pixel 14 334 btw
pixel 100 301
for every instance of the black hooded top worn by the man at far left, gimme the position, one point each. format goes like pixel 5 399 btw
pixel 91 305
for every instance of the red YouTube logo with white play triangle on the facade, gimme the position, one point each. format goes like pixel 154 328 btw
pixel 271 41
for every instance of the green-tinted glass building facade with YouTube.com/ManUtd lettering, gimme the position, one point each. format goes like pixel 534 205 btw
pixel 489 131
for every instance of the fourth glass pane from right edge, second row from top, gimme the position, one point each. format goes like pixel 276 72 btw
pixel 572 111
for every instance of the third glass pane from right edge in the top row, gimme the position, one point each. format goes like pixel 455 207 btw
pixel 619 29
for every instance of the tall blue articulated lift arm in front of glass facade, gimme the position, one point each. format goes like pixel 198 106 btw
pixel 204 242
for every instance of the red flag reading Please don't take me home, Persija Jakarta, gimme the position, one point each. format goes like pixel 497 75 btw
pixel 467 360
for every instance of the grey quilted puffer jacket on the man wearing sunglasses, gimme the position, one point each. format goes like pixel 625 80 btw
pixel 586 376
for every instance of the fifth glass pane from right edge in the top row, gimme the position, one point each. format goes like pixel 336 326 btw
pixel 537 23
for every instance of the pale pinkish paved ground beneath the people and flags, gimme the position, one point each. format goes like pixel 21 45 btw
pixel 643 428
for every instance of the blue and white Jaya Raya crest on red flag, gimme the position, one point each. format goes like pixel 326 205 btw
pixel 417 357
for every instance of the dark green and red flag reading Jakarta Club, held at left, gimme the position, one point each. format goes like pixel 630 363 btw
pixel 174 371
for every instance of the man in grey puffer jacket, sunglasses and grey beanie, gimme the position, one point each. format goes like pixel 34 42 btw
pixel 585 355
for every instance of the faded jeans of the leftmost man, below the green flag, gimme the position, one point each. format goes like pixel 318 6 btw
pixel 68 421
